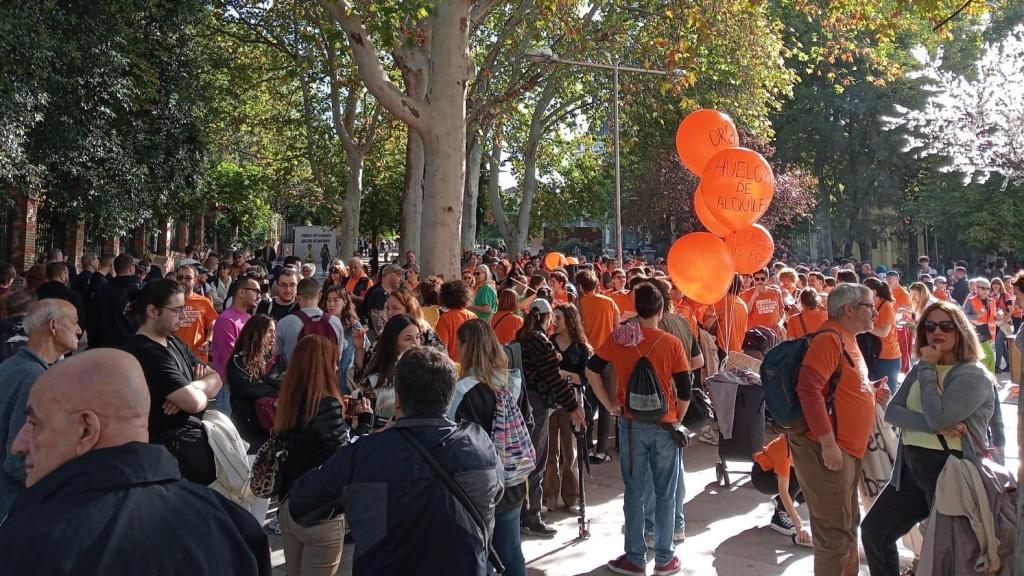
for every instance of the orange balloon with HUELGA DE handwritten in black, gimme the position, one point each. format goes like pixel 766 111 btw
pixel 739 186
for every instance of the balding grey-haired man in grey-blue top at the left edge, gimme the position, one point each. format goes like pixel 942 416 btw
pixel 52 326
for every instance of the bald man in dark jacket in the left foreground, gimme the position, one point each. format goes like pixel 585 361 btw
pixel 101 500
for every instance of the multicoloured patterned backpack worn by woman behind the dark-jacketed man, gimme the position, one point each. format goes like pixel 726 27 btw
pixel 508 433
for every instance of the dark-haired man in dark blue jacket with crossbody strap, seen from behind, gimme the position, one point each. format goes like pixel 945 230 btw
pixel 404 519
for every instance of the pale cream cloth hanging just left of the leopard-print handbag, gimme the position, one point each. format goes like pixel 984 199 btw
pixel 234 472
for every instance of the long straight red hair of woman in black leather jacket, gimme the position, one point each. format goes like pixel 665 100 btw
pixel 312 377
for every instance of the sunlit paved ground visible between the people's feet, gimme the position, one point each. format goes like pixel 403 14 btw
pixel 727 529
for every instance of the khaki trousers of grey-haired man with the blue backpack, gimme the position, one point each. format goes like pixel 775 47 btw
pixel 832 502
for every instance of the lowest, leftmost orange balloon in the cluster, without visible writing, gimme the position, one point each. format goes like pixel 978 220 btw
pixel 701 267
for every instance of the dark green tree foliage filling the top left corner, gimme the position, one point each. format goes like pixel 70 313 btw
pixel 103 106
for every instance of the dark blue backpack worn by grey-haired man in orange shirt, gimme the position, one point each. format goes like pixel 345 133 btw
pixel 780 374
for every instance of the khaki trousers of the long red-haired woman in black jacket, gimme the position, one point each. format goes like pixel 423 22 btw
pixel 315 551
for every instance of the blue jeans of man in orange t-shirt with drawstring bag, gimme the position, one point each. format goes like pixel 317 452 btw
pixel 650 449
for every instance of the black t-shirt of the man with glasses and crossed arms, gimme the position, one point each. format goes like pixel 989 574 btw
pixel 167 371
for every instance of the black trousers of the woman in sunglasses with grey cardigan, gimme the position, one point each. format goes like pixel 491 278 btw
pixel 895 513
